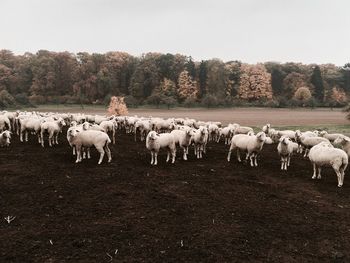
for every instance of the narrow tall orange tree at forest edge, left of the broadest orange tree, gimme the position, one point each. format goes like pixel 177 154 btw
pixel 187 88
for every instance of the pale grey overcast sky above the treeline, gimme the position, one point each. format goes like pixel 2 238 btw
pixel 308 31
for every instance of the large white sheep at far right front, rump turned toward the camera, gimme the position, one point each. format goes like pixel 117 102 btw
pixel 324 154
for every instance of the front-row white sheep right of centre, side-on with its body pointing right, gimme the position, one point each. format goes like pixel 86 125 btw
pixel 251 143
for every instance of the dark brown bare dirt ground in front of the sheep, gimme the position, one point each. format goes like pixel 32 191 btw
pixel 205 210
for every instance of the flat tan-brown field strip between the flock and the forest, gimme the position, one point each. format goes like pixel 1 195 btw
pixel 303 119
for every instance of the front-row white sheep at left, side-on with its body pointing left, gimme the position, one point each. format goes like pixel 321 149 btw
pixel 87 138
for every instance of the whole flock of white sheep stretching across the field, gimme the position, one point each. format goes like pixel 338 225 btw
pixel 85 131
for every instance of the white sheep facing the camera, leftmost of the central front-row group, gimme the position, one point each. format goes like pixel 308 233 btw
pixel 156 141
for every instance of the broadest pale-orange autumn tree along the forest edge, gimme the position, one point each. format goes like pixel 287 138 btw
pixel 255 83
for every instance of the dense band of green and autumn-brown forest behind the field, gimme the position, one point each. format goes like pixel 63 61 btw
pixel 166 79
